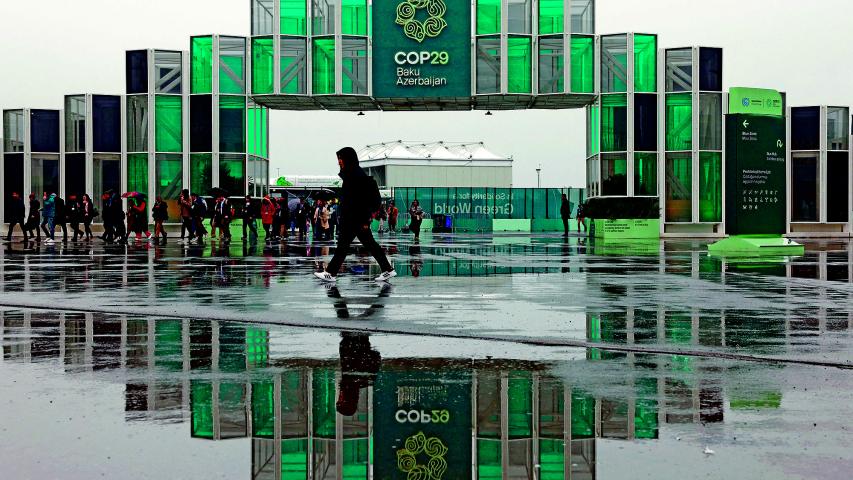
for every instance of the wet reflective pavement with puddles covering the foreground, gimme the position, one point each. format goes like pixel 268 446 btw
pixel 515 356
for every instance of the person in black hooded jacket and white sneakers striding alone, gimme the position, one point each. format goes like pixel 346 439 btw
pixel 360 198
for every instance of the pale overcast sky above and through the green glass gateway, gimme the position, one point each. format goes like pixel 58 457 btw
pixel 51 48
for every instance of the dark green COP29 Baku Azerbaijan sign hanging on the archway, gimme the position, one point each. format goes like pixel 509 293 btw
pixel 421 48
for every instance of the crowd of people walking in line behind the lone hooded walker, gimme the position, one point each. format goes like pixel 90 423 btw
pixel 200 219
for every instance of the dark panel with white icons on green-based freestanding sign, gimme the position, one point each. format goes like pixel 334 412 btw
pixel 755 175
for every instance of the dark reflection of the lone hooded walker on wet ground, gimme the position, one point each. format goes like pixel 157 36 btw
pixel 359 361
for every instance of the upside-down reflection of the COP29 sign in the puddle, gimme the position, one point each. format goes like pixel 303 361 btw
pixel 422 425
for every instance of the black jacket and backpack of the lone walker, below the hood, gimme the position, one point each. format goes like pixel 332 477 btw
pixel 360 197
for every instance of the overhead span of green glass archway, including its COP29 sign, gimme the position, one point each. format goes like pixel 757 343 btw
pixel 422 54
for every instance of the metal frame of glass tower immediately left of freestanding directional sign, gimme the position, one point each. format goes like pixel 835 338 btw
pixel 676 81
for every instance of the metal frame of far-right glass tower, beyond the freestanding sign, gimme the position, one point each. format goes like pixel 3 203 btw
pixel 822 226
